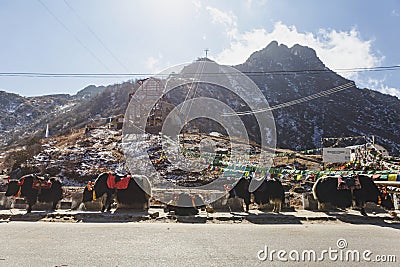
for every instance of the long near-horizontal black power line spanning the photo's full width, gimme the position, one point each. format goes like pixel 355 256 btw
pixel 249 73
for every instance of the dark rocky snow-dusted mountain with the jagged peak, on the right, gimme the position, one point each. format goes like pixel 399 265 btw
pixel 351 112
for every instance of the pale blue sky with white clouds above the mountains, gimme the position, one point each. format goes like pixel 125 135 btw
pixel 99 36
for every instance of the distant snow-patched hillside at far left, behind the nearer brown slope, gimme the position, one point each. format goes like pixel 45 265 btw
pixel 24 118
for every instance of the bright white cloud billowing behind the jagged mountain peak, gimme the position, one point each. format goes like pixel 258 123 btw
pixel 337 49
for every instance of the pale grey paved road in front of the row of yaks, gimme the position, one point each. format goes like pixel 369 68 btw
pixel 178 244
